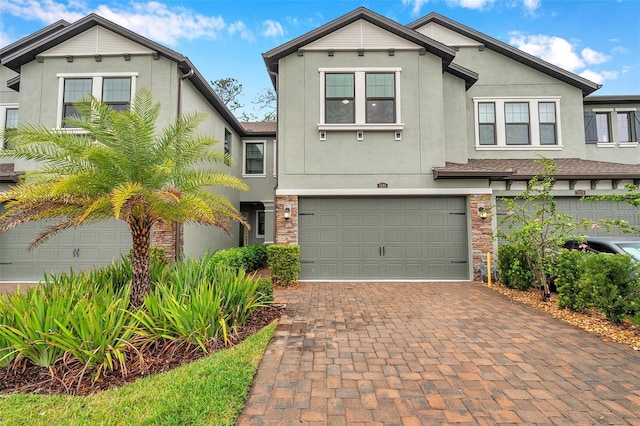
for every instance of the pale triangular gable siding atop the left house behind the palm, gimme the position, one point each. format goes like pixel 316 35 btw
pixel 96 41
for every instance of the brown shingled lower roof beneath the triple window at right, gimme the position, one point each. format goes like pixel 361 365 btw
pixel 525 169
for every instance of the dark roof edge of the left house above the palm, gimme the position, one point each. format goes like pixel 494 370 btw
pixel 28 48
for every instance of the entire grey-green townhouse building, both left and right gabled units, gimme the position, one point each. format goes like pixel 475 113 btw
pixel 394 144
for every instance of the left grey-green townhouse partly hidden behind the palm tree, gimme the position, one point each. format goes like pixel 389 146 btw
pixel 46 72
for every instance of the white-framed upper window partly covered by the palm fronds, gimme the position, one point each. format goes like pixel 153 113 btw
pixel 115 89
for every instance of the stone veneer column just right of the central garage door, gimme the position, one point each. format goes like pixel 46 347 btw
pixel 481 232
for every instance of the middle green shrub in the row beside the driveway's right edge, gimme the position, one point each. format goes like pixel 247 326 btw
pixel 568 269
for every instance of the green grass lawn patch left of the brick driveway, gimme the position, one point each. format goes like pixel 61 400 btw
pixel 209 391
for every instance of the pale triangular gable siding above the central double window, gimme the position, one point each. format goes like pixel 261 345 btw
pixel 361 35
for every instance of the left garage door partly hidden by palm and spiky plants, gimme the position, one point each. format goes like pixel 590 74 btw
pixel 78 249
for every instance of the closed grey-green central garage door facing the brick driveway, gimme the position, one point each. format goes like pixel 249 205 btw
pixel 394 238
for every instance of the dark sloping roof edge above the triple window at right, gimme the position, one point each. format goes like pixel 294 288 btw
pixel 583 84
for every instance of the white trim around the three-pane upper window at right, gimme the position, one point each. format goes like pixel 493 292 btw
pixel 534 123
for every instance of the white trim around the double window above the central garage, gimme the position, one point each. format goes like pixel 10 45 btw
pixel 360 98
